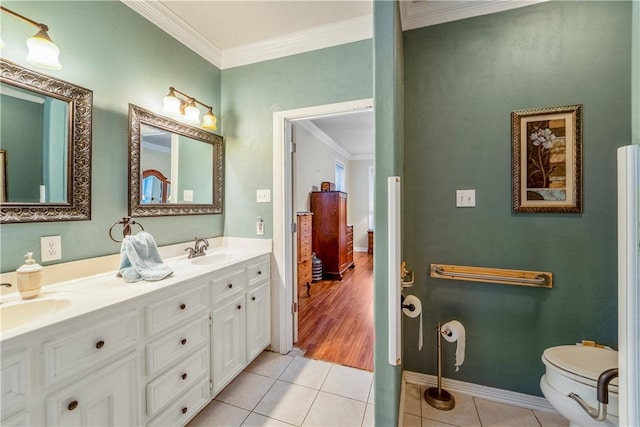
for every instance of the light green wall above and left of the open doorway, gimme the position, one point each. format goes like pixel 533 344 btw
pixel 252 93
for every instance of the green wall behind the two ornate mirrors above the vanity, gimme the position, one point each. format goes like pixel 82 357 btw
pixel 123 58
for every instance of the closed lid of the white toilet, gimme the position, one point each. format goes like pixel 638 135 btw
pixel 588 362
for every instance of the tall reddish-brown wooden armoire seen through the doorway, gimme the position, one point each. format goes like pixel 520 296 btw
pixel 332 237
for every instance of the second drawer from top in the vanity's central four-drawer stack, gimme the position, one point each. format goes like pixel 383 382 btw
pixel 176 345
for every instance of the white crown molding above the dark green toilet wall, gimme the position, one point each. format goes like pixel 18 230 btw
pixel 421 13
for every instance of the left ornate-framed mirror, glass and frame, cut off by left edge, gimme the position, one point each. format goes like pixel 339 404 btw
pixel 45 129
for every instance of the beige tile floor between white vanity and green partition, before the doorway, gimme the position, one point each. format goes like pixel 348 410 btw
pixel 277 390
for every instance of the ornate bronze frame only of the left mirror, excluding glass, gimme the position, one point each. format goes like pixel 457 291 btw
pixel 78 204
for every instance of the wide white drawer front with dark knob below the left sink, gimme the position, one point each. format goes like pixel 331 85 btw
pixel 87 348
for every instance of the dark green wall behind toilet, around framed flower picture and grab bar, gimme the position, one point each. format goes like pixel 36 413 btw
pixel 462 80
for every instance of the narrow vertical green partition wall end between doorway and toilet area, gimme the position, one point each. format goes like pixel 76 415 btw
pixel 388 98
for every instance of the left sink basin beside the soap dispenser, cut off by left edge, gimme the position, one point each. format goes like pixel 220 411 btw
pixel 17 313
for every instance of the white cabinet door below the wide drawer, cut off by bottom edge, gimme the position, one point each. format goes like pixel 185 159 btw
pixel 107 397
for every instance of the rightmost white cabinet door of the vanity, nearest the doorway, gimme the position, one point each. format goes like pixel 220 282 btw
pixel 258 319
